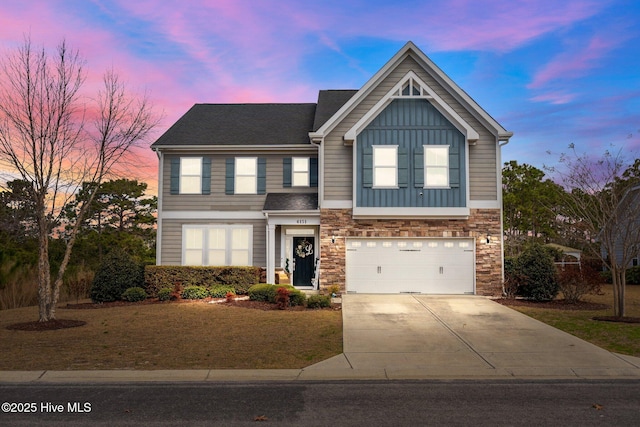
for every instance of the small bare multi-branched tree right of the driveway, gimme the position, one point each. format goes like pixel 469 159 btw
pixel 602 201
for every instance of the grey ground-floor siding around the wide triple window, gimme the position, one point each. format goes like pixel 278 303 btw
pixel 172 238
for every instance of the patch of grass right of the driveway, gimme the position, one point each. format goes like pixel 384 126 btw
pixel 623 338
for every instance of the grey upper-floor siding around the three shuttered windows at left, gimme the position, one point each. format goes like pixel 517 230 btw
pixel 217 200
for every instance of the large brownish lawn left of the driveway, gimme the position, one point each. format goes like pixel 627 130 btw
pixel 172 336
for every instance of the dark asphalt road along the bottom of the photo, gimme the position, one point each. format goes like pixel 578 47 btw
pixel 336 403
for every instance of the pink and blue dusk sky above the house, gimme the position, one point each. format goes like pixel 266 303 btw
pixel 552 72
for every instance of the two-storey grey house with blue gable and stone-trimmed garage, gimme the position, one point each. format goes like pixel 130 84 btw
pixel 391 188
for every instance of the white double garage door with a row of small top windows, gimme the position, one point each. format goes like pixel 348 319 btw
pixel 429 266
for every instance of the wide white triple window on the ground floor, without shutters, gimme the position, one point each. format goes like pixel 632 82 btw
pixel 217 245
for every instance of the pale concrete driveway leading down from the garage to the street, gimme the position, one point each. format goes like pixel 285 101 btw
pixel 427 336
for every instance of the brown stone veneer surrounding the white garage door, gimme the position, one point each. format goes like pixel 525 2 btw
pixel 338 224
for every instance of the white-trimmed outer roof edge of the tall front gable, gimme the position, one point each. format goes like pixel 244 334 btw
pixel 410 49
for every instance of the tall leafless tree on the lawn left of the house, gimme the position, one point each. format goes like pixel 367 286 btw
pixel 46 138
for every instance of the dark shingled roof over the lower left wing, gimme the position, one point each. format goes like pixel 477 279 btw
pixel 241 124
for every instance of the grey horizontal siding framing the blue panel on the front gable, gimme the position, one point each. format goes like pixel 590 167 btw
pixel 338 158
